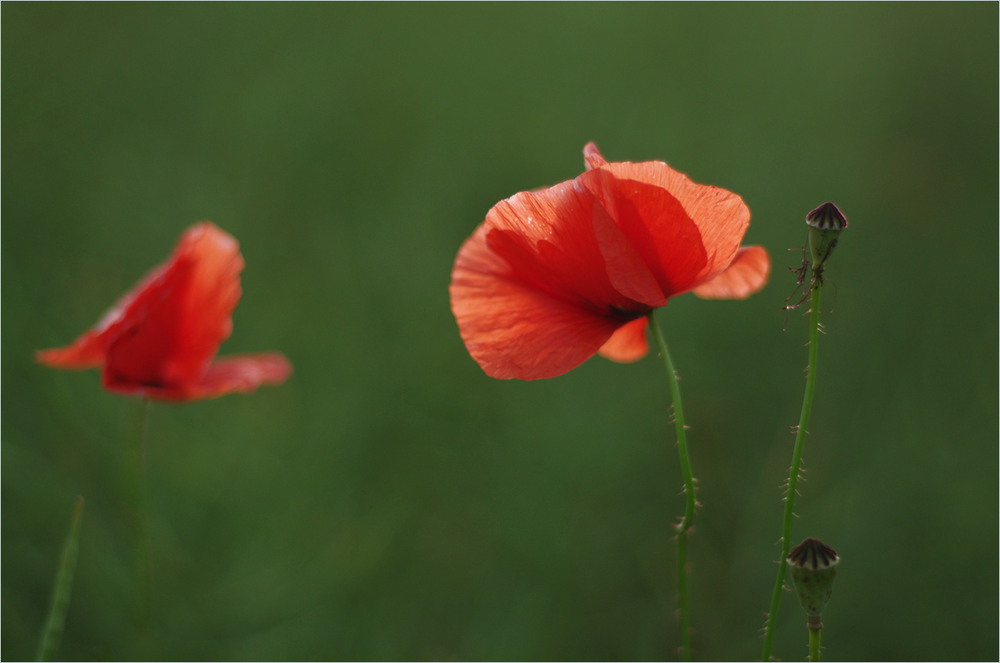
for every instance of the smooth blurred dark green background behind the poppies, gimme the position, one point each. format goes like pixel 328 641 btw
pixel 391 501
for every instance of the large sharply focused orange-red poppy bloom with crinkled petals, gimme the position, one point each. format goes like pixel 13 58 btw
pixel 556 275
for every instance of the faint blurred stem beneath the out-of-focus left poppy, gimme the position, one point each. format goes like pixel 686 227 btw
pixel 135 500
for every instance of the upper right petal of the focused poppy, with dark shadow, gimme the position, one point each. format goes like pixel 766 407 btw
pixel 685 232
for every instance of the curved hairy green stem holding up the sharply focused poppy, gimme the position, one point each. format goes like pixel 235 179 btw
pixel 684 526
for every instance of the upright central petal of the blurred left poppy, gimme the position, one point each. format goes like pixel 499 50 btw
pixel 172 329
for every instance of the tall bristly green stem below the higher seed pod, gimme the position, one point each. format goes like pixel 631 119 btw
pixel 793 471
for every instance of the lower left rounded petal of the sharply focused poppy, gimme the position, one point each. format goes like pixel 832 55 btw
pixel 514 329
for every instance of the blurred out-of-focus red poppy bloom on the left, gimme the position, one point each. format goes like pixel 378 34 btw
pixel 160 339
